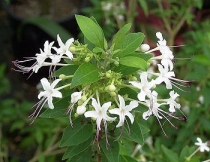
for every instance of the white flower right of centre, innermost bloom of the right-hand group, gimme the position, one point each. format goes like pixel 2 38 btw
pixel 144 86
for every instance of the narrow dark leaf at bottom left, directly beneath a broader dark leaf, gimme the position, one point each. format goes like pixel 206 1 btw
pixel 75 150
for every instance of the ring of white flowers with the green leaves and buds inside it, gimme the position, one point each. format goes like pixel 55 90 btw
pixel 100 83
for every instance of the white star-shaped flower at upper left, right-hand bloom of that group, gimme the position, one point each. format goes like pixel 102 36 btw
pixel 64 48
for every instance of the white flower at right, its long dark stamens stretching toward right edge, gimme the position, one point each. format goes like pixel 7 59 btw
pixel 164 76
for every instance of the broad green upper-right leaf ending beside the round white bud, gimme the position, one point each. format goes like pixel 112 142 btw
pixel 130 43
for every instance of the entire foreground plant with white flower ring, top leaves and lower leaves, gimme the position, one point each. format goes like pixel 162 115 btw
pixel 106 88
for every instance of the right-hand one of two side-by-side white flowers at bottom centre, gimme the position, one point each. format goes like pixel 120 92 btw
pixel 124 110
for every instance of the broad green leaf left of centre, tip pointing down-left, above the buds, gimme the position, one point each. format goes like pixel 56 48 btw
pixel 85 74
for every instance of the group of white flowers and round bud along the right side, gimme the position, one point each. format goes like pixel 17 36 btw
pixel 165 75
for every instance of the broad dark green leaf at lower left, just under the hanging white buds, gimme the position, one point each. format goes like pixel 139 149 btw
pixel 80 132
